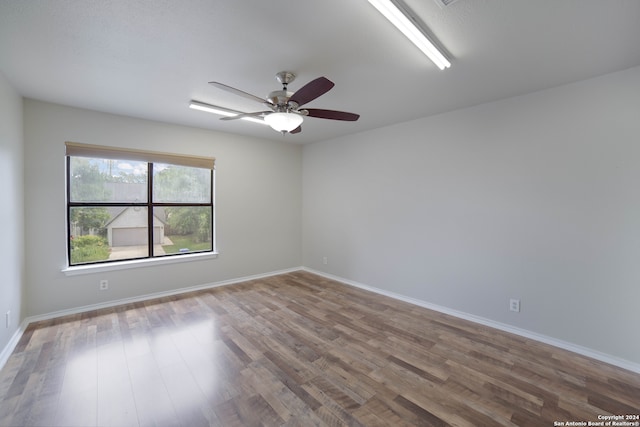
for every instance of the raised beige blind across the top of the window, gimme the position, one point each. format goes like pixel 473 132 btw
pixel 102 152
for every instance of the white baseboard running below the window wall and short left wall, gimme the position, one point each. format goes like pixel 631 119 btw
pixel 13 342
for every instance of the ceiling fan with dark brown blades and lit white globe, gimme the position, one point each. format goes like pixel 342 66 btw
pixel 284 114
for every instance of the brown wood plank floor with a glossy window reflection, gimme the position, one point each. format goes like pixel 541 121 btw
pixel 297 350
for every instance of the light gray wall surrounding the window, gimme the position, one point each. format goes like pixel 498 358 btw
pixel 258 212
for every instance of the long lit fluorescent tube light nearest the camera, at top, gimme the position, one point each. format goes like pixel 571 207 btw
pixel 399 16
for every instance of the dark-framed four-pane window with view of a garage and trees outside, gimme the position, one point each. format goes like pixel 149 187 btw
pixel 126 204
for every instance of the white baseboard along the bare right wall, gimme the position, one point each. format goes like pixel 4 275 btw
pixel 584 351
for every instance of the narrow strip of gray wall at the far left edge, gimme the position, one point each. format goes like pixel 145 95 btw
pixel 11 214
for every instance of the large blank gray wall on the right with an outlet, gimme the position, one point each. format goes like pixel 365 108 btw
pixel 535 197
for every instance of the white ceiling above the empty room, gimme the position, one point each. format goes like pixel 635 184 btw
pixel 148 58
